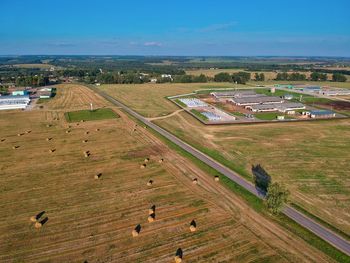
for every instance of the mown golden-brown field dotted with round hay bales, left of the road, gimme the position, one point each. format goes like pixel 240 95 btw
pixel 92 219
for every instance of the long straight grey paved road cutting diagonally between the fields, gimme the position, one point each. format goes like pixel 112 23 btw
pixel 292 213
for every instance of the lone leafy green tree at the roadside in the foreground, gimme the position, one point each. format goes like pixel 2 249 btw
pixel 277 195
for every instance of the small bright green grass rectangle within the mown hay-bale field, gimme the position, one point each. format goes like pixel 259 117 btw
pixel 87 115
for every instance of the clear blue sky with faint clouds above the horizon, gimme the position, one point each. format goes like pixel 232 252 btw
pixel 192 27
